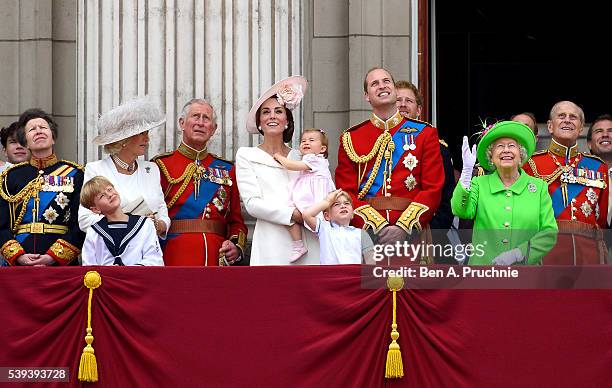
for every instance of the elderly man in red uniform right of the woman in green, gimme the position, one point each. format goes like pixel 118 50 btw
pixel 578 186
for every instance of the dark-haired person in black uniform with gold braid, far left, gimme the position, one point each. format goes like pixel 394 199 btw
pixel 40 199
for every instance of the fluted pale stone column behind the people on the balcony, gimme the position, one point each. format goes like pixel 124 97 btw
pixel 227 51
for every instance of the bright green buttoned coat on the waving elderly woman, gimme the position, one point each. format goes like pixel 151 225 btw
pixel 506 218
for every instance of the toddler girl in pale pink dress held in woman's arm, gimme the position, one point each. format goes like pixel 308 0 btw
pixel 313 183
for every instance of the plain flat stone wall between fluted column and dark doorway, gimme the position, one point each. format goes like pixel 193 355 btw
pixel 345 39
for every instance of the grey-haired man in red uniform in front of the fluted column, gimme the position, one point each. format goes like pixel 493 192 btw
pixel 202 196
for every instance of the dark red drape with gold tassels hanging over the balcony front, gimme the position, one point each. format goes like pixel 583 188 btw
pixel 299 327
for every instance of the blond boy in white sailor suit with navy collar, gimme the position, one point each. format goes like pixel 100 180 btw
pixel 118 238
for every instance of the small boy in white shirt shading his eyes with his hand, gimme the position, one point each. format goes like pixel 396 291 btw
pixel 339 242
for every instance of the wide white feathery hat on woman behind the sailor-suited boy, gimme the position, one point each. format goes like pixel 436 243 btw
pixel 128 119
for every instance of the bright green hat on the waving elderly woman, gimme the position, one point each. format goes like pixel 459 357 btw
pixel 512 129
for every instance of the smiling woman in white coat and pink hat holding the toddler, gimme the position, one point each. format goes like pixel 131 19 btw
pixel 263 182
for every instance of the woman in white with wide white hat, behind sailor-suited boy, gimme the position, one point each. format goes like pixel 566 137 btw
pixel 124 133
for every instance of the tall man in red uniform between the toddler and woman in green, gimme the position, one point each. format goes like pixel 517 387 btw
pixel 390 165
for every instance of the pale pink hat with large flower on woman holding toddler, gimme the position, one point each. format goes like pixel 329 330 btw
pixel 289 93
